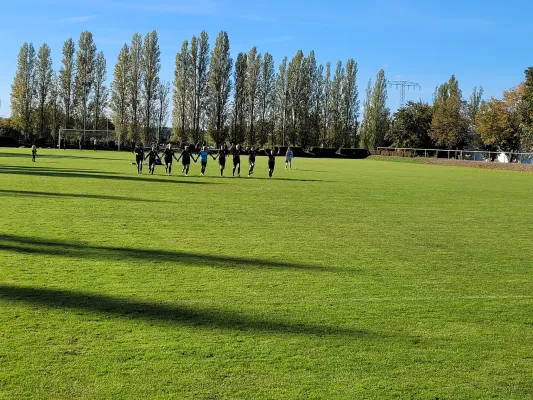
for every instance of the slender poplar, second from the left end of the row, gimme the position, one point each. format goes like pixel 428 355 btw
pixel 43 82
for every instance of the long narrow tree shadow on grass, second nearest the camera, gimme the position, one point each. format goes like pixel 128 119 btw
pixel 34 246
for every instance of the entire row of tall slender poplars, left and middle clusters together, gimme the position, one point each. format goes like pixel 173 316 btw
pixel 212 98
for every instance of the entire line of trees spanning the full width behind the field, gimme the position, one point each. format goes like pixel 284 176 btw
pixel 249 101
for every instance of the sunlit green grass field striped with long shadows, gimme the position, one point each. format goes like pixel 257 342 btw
pixel 340 279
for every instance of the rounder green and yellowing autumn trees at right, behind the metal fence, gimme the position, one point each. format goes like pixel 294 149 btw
pixel 451 122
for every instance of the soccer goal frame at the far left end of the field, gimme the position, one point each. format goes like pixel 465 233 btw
pixel 88 139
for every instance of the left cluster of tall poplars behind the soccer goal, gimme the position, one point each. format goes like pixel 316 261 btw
pixel 77 97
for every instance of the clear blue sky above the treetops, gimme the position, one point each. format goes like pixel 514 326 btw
pixel 483 43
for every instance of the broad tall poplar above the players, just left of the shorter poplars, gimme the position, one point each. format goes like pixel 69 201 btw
pixel 219 79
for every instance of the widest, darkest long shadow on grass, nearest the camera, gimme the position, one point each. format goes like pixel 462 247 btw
pixel 173 314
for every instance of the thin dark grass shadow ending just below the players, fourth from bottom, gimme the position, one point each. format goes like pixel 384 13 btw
pixel 94 175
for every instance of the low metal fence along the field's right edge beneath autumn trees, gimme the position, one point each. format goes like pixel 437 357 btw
pixel 468 155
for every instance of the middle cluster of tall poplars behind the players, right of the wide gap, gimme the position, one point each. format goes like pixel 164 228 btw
pixel 248 102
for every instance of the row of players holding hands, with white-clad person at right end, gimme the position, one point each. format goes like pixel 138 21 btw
pixel 186 155
